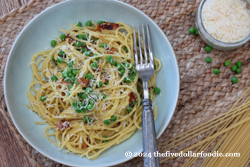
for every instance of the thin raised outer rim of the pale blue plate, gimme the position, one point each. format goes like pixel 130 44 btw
pixel 39 15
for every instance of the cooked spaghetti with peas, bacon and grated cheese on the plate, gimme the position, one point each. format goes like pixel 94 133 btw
pixel 89 91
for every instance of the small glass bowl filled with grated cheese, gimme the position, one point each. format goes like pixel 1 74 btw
pixel 224 24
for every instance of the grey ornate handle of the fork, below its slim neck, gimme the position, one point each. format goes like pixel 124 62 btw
pixel 149 135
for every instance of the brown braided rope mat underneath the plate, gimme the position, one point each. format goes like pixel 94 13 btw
pixel 203 95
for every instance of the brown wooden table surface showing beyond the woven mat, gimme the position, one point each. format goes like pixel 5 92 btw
pixel 11 154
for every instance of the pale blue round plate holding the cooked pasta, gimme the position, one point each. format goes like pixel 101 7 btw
pixel 36 37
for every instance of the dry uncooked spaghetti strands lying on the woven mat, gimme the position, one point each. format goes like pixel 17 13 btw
pixel 232 132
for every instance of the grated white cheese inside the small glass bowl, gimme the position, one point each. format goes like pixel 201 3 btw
pixel 226 20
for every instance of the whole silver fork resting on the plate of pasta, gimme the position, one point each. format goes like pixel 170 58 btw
pixel 146 70
